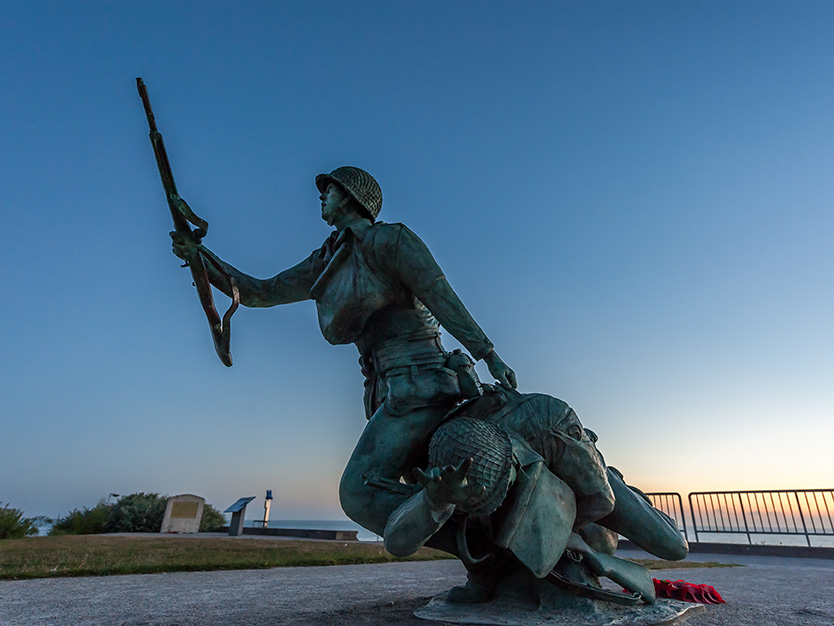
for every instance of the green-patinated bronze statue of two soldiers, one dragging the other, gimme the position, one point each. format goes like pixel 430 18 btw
pixel 513 484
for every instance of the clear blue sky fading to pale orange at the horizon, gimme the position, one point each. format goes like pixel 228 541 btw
pixel 634 199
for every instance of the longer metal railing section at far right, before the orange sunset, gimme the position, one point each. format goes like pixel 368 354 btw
pixel 801 512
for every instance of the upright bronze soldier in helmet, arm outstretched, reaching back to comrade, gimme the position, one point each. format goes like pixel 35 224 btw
pixel 375 285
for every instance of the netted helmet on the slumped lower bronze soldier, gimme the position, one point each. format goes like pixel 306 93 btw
pixel 491 452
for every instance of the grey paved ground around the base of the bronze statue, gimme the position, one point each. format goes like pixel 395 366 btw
pixel 769 591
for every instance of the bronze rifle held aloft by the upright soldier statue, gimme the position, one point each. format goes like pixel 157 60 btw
pixel 182 216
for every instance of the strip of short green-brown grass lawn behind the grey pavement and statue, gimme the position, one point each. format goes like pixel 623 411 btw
pixel 102 555
